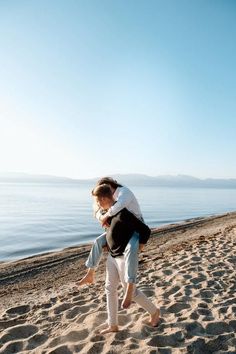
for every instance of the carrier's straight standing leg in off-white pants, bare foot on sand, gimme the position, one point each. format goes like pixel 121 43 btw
pixel 111 285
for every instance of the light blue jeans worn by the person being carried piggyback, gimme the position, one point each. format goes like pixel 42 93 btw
pixel 130 256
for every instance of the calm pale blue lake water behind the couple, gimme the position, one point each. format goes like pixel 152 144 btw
pixel 37 218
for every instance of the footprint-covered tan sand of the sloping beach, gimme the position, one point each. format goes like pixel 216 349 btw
pixel 187 269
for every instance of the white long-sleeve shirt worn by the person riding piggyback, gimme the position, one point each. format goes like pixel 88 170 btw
pixel 124 199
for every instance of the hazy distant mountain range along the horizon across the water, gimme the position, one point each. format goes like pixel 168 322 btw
pixel 182 181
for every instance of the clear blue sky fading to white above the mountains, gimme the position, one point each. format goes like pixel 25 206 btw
pixel 91 88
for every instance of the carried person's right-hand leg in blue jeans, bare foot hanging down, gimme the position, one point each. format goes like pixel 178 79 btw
pixel 131 268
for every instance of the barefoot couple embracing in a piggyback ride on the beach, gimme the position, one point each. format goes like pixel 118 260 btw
pixel 118 211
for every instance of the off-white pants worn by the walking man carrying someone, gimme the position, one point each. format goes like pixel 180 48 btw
pixel 115 274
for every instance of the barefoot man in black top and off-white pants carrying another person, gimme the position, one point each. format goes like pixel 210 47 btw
pixel 122 226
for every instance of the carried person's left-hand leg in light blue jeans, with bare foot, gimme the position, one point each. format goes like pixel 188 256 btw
pixel 93 259
